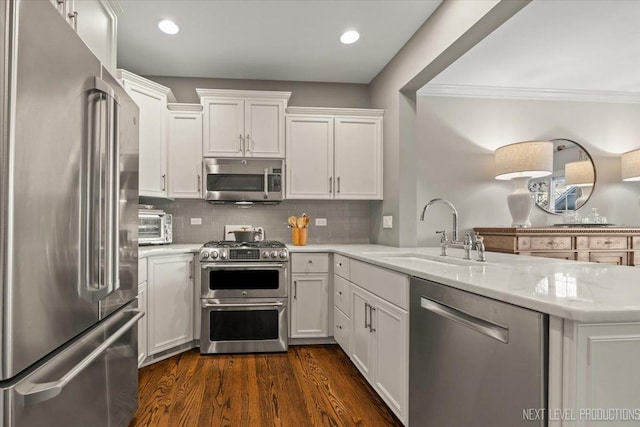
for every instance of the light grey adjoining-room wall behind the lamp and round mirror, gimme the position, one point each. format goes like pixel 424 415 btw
pixel 457 137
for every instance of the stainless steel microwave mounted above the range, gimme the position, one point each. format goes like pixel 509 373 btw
pixel 243 181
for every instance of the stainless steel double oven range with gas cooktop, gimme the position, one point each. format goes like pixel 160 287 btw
pixel 243 297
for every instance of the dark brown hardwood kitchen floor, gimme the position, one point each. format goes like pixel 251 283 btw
pixel 308 386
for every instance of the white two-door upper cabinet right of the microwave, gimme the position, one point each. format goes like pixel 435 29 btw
pixel 334 154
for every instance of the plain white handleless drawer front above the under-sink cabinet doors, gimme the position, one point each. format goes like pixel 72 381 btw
pixel 387 284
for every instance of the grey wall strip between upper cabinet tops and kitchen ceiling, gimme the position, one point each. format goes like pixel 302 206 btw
pixel 304 94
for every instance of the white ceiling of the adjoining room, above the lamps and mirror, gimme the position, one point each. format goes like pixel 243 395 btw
pixel 561 44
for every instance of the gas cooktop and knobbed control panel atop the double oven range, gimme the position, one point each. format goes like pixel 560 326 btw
pixel 229 251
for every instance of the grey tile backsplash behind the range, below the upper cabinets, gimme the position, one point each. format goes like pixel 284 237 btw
pixel 347 221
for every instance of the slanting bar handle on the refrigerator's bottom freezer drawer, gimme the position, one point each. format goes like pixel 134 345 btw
pixel 32 393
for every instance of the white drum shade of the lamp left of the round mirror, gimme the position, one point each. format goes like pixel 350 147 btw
pixel 530 159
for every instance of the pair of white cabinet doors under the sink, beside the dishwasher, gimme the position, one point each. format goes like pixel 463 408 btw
pixel 380 347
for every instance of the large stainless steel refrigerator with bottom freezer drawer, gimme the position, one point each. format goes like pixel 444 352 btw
pixel 68 228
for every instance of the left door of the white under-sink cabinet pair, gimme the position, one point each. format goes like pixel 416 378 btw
pixel 361 334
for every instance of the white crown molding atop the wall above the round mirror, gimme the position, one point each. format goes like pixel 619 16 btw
pixel 496 92
